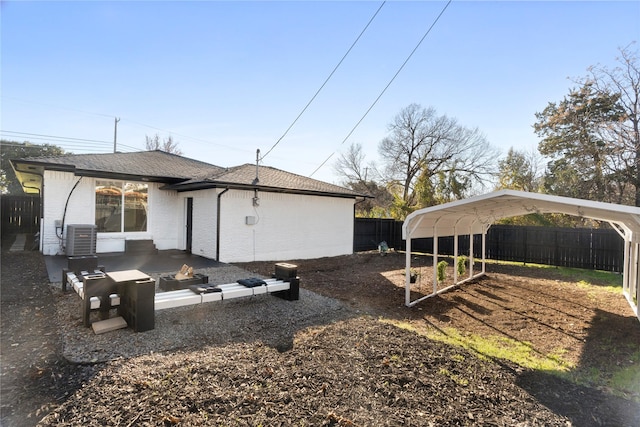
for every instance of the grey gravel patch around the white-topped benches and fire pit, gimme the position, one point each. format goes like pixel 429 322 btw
pixel 265 317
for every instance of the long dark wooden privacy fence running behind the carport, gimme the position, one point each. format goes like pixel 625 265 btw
pixel 596 249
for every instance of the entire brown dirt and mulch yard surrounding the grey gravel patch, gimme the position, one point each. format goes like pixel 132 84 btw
pixel 385 365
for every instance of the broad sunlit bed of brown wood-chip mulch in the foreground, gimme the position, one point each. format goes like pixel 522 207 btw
pixel 357 372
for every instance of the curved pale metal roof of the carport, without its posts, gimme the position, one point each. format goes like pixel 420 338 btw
pixel 476 213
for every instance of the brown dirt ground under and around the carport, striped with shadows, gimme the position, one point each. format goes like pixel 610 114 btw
pixel 538 306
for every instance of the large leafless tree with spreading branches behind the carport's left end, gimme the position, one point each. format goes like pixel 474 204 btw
pixel 425 150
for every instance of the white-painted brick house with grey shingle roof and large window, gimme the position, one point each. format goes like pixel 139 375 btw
pixel 234 214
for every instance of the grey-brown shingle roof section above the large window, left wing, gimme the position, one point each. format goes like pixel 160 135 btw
pixel 152 164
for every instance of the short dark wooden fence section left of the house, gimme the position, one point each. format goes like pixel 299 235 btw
pixel 20 214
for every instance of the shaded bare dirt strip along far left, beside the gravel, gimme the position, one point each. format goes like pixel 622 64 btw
pixel 35 378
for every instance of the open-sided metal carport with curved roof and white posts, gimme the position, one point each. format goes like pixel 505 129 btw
pixel 475 215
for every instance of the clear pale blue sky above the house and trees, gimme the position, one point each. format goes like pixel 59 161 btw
pixel 227 78
